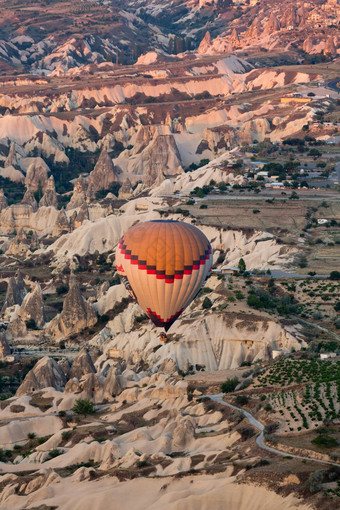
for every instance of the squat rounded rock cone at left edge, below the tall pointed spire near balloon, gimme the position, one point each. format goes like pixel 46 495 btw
pixel 45 374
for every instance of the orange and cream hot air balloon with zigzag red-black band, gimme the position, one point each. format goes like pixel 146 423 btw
pixel 163 265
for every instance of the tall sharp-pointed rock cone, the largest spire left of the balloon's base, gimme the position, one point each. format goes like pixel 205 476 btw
pixel 76 315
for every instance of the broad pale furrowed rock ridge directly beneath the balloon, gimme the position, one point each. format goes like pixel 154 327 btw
pixel 217 341
